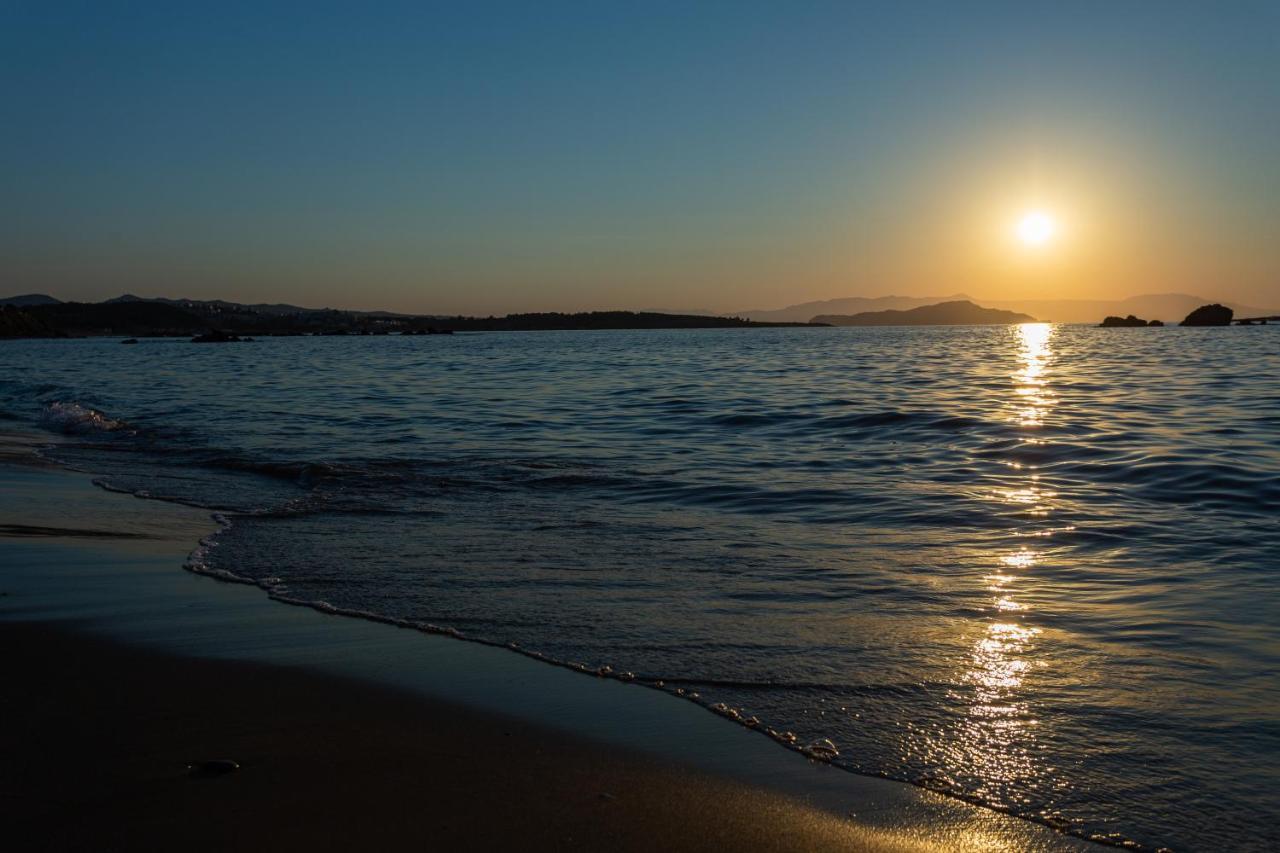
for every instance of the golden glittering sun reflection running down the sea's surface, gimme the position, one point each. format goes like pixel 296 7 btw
pixel 995 740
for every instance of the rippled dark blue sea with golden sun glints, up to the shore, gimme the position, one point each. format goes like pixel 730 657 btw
pixel 1037 568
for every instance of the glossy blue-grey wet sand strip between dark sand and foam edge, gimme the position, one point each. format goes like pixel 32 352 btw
pixel 126 589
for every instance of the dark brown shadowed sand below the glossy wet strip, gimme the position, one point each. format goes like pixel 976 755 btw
pixel 98 738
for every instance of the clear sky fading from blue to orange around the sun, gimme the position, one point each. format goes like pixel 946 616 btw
pixel 509 157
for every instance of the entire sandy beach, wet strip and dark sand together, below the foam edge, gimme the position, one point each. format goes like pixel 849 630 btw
pixel 687 779
